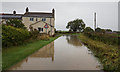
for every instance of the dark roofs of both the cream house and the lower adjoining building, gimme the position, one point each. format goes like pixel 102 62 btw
pixel 27 14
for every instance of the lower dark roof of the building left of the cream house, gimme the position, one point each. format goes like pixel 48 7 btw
pixel 11 16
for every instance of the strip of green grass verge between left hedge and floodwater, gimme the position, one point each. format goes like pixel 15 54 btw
pixel 13 55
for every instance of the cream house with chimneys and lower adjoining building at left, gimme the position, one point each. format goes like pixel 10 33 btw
pixel 42 21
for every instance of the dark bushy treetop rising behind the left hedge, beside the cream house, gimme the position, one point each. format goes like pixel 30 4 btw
pixel 16 23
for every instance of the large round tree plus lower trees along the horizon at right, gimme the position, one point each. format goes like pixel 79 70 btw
pixel 78 25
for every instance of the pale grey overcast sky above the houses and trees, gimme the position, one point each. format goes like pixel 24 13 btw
pixel 107 12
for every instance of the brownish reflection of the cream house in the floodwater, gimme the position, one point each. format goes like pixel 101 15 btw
pixel 45 52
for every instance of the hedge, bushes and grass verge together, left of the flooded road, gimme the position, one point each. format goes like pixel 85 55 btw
pixel 18 42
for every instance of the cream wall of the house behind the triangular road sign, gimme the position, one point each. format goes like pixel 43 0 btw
pixel 50 30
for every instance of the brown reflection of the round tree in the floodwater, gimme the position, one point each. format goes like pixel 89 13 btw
pixel 73 40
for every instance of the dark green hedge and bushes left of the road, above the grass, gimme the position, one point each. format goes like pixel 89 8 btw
pixel 14 34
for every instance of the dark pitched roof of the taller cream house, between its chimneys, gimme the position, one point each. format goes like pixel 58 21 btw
pixel 38 14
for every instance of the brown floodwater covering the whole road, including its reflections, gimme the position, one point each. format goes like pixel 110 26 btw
pixel 65 53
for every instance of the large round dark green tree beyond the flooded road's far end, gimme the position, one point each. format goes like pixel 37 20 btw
pixel 76 25
